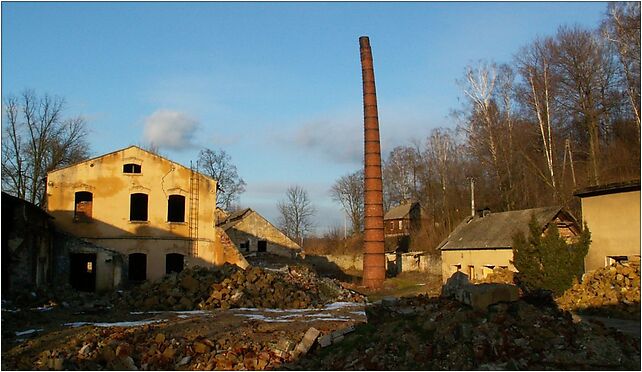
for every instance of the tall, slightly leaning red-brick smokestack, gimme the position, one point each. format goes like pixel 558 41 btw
pixel 374 269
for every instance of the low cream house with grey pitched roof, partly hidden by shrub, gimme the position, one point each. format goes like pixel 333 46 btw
pixel 483 242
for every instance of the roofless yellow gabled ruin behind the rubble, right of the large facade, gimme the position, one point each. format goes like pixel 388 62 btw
pixel 251 232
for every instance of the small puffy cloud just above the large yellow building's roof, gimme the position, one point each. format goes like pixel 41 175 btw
pixel 169 129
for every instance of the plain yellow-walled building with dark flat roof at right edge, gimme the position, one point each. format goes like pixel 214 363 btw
pixel 612 213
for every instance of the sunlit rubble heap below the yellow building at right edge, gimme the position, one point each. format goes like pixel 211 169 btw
pixel 612 290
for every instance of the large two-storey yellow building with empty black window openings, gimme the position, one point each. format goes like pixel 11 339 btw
pixel 157 214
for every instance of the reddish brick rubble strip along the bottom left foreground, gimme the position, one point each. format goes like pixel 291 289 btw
pixel 154 347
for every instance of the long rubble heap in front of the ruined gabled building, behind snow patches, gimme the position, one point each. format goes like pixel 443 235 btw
pixel 293 287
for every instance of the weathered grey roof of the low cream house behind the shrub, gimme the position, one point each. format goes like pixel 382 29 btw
pixel 496 230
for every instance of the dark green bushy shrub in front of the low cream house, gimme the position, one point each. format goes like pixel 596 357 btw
pixel 546 261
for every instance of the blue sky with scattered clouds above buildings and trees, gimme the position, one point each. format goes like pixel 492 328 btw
pixel 276 85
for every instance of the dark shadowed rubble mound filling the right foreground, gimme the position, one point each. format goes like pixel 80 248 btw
pixel 422 333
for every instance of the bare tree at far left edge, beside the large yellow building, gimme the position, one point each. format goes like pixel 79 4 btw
pixel 38 139
